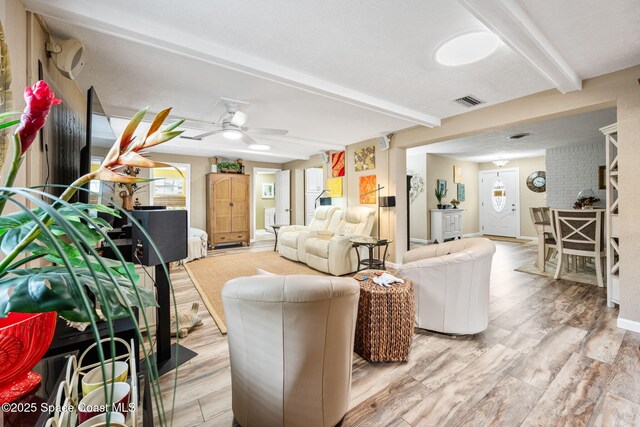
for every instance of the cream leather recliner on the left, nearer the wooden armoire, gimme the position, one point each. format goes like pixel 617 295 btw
pixel 291 239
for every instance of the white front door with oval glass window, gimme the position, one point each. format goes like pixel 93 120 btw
pixel 500 202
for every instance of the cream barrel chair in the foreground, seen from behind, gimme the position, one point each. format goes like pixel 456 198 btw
pixel 291 348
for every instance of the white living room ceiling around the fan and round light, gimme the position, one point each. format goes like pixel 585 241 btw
pixel 333 72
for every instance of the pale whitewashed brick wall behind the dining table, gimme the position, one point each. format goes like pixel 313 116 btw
pixel 571 169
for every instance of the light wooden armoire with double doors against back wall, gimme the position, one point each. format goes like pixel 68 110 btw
pixel 228 208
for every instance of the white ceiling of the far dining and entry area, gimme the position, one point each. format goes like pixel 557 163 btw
pixel 490 146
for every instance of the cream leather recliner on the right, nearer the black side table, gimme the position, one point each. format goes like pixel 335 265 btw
pixel 330 250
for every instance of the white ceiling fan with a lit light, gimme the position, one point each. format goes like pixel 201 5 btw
pixel 231 126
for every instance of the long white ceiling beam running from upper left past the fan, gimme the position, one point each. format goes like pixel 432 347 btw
pixel 98 16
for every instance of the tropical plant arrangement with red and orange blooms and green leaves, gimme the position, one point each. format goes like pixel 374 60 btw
pixel 51 247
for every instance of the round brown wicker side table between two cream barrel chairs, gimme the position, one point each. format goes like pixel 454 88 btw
pixel 385 322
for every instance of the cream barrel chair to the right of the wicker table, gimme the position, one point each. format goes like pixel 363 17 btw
pixel 451 284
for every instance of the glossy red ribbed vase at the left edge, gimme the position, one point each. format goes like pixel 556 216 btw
pixel 24 339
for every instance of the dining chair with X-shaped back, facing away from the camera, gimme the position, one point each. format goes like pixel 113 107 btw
pixel 579 233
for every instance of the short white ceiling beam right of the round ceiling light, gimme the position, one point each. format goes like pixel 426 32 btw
pixel 509 21
